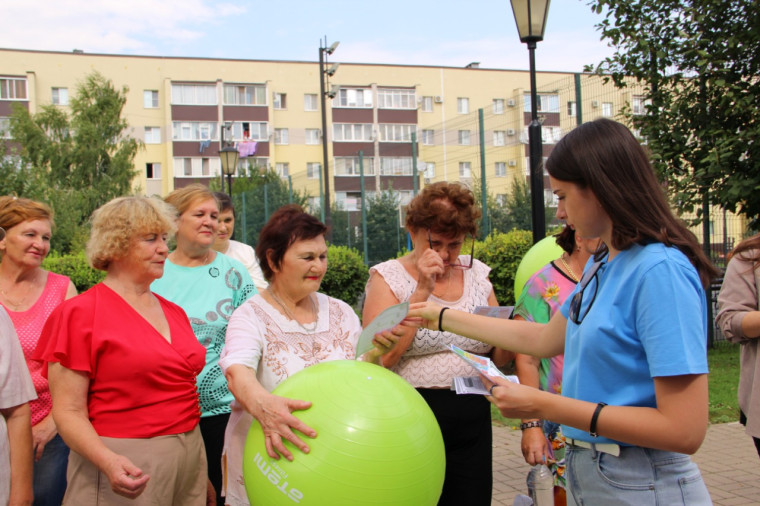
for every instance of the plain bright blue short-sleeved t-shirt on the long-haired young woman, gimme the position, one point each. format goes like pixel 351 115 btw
pixel 648 319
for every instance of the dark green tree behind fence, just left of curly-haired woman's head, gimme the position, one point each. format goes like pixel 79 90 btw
pixel 384 236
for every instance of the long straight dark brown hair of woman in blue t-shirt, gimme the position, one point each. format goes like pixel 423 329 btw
pixel 603 155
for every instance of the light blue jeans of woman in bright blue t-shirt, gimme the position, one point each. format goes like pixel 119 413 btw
pixel 638 477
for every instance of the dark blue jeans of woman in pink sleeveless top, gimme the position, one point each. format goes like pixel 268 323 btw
pixel 50 473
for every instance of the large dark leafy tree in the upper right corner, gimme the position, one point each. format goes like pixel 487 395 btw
pixel 698 62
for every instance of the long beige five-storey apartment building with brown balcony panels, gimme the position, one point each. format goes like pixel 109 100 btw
pixel 469 122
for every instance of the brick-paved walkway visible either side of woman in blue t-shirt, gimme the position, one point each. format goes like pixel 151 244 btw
pixel 727 459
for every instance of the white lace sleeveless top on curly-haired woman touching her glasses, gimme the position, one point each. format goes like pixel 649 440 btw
pixel 428 363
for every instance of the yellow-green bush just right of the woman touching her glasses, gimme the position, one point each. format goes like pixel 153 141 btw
pixel 503 253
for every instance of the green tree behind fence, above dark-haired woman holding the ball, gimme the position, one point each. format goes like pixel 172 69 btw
pixel 256 196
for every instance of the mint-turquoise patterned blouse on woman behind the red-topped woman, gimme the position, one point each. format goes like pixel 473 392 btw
pixel 208 294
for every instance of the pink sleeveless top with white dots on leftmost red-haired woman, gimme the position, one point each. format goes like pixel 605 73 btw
pixel 28 325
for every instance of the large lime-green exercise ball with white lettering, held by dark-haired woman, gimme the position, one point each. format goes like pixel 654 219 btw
pixel 377 442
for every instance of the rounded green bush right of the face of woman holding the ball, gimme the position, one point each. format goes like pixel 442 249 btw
pixel 346 274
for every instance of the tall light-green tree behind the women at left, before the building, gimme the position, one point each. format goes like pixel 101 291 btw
pixel 75 161
